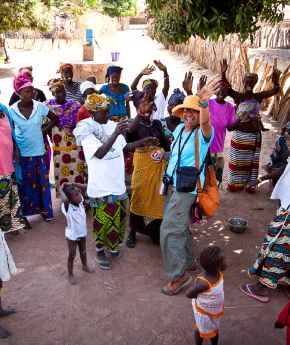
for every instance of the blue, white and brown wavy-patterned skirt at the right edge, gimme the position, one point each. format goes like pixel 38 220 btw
pixel 273 262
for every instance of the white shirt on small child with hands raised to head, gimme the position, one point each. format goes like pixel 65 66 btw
pixel 76 221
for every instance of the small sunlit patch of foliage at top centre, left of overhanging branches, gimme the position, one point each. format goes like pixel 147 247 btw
pixel 119 8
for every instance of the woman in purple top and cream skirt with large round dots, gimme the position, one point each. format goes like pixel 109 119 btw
pixel 67 156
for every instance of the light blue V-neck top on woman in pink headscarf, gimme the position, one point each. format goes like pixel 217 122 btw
pixel 28 133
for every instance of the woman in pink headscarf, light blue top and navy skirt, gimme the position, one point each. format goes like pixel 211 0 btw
pixel 27 117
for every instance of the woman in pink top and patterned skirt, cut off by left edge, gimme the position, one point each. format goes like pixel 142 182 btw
pixel 10 211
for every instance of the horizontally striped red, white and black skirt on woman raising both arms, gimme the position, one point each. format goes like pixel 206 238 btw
pixel 244 160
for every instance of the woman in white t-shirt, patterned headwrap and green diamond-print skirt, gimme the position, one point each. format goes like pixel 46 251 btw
pixel 104 147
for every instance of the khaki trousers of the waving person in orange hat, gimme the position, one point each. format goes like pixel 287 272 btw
pixel 175 236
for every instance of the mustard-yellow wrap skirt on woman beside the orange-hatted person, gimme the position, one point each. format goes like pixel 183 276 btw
pixel 146 179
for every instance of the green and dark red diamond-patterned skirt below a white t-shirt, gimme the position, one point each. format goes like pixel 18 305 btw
pixel 109 221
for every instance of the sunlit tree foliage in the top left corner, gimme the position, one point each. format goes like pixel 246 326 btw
pixel 30 14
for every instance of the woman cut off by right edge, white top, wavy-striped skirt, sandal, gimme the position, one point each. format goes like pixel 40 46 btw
pixel 273 261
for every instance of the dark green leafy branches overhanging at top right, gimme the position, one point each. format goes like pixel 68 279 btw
pixel 176 20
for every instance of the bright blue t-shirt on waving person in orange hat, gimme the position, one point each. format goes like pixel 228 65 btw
pixel 188 153
